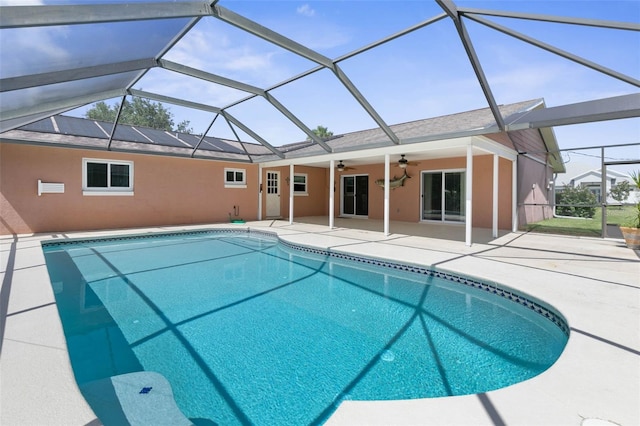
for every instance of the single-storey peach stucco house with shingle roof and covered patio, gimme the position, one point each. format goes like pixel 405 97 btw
pixel 462 168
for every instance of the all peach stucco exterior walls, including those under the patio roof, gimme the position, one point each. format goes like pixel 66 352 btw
pixel 177 191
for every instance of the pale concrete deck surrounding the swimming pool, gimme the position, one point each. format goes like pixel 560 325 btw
pixel 594 283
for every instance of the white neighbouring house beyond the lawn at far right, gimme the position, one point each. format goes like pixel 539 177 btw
pixel 583 175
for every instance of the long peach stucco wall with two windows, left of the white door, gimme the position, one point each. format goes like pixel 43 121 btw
pixel 167 191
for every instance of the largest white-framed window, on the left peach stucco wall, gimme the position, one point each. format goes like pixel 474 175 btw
pixel 106 177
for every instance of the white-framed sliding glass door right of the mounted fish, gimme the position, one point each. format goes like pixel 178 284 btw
pixel 443 196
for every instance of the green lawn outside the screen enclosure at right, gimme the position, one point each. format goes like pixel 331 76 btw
pixel 585 227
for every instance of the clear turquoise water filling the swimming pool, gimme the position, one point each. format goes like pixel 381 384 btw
pixel 250 331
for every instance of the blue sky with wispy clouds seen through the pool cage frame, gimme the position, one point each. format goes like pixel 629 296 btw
pixel 420 75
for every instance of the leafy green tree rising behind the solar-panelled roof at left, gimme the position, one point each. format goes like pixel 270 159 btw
pixel 139 112
